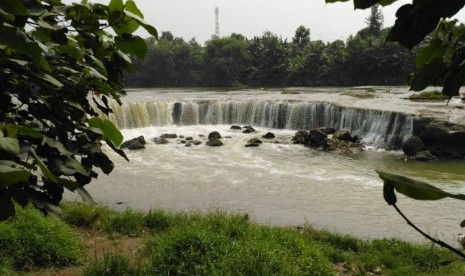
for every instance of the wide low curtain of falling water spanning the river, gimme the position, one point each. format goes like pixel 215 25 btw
pixel 382 129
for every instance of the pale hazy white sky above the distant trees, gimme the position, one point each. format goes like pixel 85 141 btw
pixel 196 18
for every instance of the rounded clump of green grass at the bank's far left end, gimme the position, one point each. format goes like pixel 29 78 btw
pixel 32 240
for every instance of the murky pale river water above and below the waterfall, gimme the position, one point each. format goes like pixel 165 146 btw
pixel 278 183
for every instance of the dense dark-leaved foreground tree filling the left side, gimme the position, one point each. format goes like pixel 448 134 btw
pixel 59 66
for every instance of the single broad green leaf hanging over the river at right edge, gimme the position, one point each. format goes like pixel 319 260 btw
pixel 415 189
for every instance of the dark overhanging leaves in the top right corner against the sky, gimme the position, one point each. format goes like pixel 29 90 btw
pixel 441 61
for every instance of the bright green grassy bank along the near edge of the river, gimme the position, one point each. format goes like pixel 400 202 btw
pixel 215 243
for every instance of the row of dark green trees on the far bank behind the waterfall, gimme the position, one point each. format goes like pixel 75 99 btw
pixel 364 59
